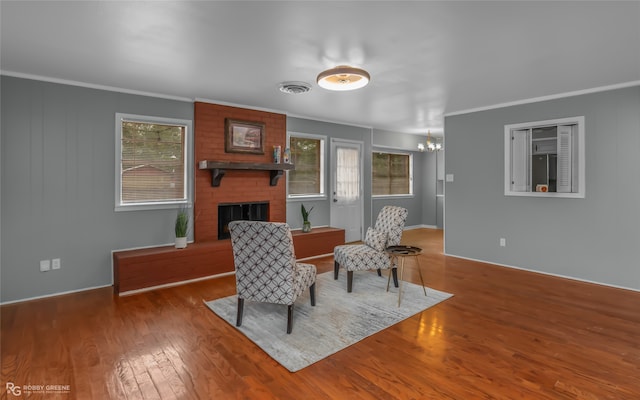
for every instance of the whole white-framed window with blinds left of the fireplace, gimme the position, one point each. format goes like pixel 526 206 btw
pixel 152 162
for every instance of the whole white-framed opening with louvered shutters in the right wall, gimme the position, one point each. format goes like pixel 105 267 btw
pixel 545 158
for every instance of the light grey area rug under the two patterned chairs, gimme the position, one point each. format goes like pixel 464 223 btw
pixel 338 320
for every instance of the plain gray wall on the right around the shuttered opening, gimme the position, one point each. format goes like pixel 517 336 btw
pixel 594 239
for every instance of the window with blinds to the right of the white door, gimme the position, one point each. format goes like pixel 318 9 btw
pixel 392 174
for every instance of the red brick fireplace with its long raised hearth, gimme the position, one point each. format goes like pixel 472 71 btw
pixel 151 267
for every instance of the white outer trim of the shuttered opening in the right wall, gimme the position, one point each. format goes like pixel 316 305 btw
pixel 579 151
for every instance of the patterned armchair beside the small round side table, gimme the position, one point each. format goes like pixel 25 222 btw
pixel 371 255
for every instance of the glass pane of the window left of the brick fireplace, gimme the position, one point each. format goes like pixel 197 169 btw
pixel 152 162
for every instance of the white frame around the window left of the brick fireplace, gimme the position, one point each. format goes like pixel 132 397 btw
pixel 187 157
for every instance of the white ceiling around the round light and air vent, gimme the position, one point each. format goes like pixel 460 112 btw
pixel 426 59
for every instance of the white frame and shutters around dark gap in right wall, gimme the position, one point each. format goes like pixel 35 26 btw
pixel 577 149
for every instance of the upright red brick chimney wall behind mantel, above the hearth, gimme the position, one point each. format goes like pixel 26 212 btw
pixel 235 186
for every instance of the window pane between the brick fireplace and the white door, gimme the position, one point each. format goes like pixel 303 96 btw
pixel 305 155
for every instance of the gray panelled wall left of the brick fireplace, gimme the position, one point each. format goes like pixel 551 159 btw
pixel 58 184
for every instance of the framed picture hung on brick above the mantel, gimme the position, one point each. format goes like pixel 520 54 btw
pixel 244 137
